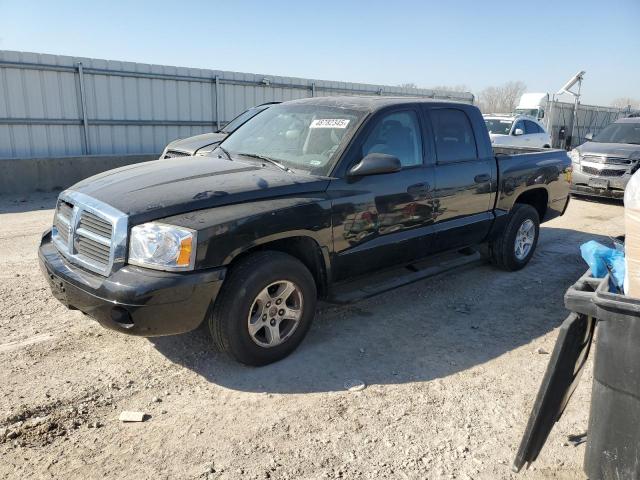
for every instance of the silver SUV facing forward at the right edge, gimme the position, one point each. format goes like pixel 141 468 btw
pixel 603 165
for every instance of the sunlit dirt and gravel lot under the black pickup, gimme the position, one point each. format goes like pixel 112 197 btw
pixel 451 364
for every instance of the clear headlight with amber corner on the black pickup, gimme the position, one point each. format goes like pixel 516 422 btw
pixel 163 247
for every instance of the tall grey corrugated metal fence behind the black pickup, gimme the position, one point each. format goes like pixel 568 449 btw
pixel 53 105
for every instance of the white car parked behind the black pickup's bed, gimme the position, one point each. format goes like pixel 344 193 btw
pixel 517 131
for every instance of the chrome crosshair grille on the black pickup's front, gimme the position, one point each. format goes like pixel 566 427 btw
pixel 89 233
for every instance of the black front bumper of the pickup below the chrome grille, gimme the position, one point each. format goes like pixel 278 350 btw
pixel 132 300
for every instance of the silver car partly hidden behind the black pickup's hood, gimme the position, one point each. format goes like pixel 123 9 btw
pixel 205 143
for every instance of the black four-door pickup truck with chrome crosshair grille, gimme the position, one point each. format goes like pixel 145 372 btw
pixel 301 198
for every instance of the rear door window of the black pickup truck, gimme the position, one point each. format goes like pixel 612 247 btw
pixel 453 134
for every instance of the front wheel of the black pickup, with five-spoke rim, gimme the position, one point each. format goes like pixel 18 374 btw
pixel 251 284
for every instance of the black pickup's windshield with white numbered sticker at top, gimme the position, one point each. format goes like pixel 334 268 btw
pixel 300 137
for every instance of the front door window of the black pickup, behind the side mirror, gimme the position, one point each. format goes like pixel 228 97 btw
pixel 396 134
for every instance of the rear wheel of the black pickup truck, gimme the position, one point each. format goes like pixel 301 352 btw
pixel 504 250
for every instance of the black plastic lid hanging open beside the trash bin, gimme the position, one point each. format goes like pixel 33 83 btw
pixel 560 380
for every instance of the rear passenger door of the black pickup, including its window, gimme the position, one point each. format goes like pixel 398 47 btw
pixel 465 180
